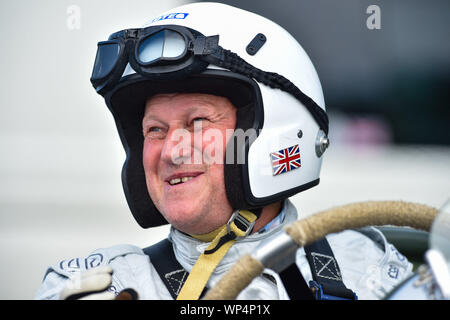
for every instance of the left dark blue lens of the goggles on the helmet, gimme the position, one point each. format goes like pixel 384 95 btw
pixel 107 56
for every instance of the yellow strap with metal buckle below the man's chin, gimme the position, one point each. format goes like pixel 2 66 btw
pixel 240 225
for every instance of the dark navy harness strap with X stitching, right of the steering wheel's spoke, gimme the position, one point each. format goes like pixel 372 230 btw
pixel 327 281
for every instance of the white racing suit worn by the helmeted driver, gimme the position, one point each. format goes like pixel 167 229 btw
pixel 369 265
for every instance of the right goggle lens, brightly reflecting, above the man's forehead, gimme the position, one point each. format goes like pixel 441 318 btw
pixel 165 44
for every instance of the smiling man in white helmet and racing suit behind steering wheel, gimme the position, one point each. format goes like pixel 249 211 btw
pixel 222 118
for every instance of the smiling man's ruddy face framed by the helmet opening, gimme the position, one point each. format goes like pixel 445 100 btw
pixel 184 182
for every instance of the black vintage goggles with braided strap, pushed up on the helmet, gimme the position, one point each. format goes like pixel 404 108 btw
pixel 172 52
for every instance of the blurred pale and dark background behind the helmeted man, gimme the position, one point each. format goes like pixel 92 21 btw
pixel 386 84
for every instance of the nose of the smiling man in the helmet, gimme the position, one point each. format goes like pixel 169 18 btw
pixel 178 145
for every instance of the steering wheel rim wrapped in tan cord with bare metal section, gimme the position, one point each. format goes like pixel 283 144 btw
pixel 280 253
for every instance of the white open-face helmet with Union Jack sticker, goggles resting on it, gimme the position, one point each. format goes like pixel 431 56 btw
pixel 219 49
